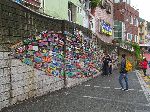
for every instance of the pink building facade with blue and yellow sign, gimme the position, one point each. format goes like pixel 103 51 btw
pixel 103 20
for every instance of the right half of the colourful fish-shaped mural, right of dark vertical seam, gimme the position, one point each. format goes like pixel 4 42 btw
pixel 81 55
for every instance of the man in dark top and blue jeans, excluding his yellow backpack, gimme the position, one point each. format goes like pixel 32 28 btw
pixel 123 73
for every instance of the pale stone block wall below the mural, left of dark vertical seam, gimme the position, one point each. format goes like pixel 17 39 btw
pixel 19 81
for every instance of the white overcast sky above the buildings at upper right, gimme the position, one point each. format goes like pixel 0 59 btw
pixel 144 8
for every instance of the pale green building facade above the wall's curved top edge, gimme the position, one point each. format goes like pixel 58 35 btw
pixel 72 10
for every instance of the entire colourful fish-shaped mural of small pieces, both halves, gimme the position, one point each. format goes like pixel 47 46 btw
pixel 46 51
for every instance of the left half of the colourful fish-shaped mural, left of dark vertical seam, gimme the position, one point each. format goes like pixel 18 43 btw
pixel 44 52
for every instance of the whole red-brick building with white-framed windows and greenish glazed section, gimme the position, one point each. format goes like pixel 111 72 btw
pixel 125 22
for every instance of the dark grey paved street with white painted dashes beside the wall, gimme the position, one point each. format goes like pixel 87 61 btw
pixel 101 94
